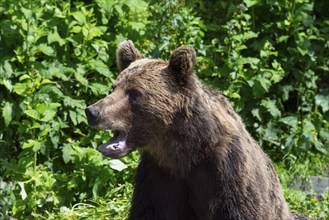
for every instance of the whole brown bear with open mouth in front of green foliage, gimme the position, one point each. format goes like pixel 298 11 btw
pixel 197 159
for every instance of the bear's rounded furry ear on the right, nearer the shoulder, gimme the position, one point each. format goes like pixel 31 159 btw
pixel 181 63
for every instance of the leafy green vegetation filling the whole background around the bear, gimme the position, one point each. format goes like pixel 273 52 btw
pixel 271 58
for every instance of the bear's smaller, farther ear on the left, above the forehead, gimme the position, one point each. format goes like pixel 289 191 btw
pixel 126 54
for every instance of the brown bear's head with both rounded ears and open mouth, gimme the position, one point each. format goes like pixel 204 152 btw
pixel 147 96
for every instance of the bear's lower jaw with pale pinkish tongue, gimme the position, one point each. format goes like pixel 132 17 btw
pixel 114 147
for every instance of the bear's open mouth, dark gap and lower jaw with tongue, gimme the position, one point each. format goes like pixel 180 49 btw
pixel 117 146
